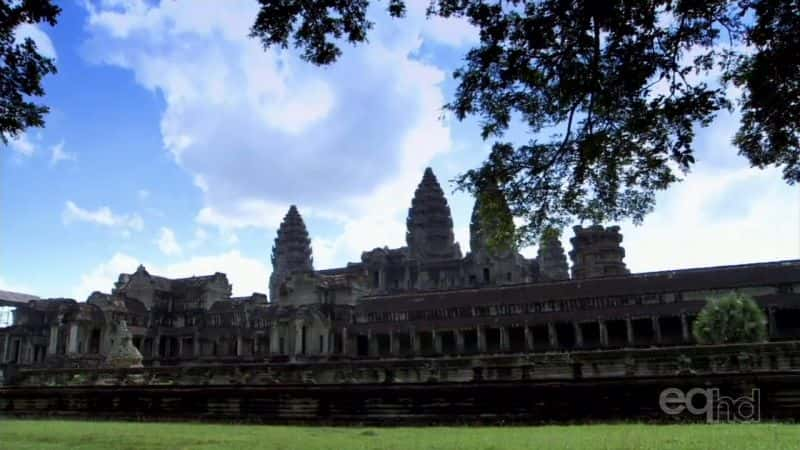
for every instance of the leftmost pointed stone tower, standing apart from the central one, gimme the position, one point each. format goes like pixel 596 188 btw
pixel 291 252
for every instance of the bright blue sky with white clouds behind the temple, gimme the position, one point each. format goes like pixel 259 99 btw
pixel 177 142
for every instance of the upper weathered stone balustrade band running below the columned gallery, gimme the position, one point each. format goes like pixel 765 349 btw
pixel 601 364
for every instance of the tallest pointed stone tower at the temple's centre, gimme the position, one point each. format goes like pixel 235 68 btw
pixel 429 224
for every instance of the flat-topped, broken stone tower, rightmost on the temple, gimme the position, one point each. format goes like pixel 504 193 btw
pixel 597 252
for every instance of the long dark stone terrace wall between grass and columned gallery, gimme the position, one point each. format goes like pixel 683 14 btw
pixel 603 385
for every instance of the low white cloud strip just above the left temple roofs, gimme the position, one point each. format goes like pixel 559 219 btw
pixel 247 275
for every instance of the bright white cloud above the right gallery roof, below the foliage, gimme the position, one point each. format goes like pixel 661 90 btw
pixel 736 216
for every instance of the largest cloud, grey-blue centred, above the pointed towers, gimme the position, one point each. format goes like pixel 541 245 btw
pixel 261 130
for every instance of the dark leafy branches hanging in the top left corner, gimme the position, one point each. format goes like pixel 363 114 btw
pixel 22 67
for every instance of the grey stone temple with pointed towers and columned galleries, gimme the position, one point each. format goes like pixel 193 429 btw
pixel 424 299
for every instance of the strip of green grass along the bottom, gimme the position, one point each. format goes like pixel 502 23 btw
pixel 51 434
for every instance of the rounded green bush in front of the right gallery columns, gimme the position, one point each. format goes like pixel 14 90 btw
pixel 730 318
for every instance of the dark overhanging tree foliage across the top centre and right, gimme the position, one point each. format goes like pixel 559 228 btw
pixel 612 90
